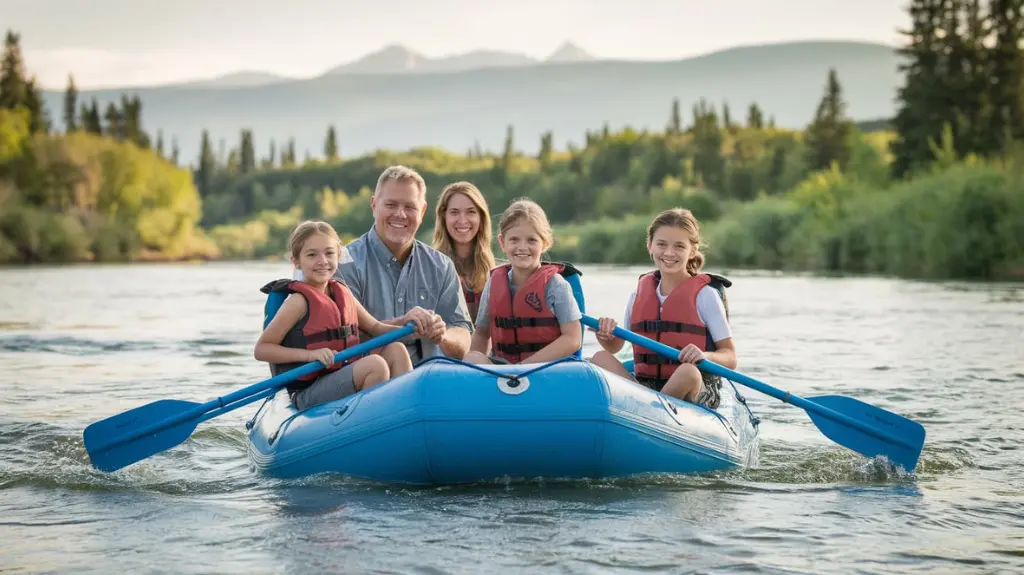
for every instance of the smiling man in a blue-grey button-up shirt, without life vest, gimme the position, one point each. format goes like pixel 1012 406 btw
pixel 391 273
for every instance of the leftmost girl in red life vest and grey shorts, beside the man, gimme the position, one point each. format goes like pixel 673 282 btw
pixel 320 319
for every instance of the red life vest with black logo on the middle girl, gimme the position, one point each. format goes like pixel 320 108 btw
pixel 523 326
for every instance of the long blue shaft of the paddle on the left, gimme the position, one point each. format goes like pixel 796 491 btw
pixel 232 402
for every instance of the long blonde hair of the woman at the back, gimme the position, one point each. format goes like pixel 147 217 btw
pixel 477 270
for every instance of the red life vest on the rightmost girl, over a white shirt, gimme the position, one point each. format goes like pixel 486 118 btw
pixel 676 324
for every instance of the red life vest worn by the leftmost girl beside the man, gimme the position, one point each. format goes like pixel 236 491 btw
pixel 329 323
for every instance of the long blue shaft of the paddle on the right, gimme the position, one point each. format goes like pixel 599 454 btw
pixel 712 368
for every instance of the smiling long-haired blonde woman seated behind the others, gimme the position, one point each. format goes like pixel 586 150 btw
pixel 462 232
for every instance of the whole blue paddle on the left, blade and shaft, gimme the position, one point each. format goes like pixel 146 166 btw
pixel 135 435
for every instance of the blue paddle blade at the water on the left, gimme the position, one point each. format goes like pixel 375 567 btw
pixel 107 454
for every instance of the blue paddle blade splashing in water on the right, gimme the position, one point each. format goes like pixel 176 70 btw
pixel 907 436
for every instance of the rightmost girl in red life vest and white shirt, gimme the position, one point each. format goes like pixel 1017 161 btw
pixel 679 306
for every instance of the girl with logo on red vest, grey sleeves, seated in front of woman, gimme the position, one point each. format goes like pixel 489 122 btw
pixel 527 314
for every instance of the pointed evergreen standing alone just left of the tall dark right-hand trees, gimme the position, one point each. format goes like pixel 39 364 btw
pixel 829 137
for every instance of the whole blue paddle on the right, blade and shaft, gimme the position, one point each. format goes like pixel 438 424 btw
pixel 862 427
